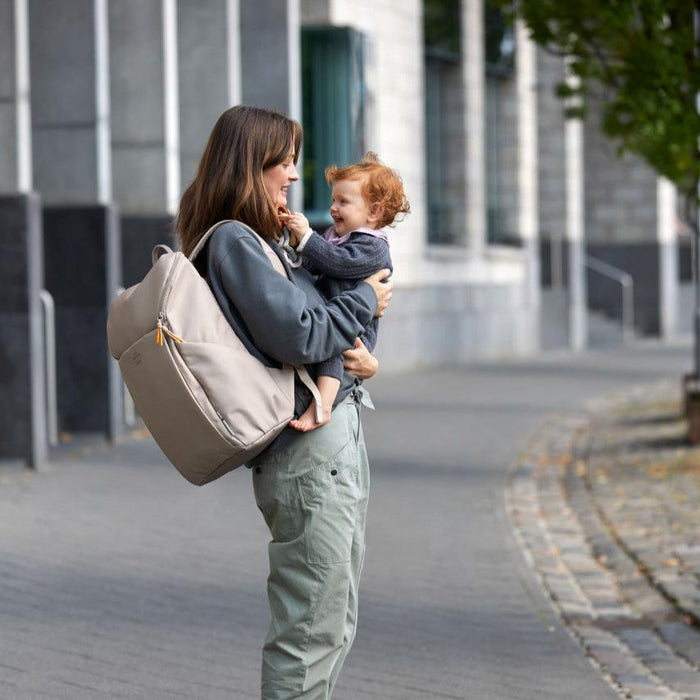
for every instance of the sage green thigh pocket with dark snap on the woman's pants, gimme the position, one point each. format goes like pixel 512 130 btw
pixel 330 495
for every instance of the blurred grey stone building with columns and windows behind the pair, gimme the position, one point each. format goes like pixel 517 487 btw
pixel 527 232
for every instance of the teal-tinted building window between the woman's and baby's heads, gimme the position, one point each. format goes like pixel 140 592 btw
pixel 334 104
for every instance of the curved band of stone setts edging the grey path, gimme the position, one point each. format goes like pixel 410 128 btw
pixel 630 631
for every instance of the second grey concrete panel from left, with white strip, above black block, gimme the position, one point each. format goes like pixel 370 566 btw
pixel 70 101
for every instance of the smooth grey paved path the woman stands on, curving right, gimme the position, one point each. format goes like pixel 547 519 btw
pixel 120 580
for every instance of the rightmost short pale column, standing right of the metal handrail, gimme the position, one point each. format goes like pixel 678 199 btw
pixel 668 257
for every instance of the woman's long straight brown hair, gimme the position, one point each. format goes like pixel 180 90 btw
pixel 229 184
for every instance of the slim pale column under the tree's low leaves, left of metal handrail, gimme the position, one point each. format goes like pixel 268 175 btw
pixel 575 235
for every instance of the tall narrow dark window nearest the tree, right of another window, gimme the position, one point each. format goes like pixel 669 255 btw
pixel 501 138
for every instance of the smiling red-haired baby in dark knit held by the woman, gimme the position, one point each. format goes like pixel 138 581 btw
pixel 367 197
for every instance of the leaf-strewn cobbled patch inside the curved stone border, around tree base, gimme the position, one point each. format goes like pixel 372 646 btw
pixel 645 480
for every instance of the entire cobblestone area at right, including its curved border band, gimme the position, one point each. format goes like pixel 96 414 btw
pixel 606 503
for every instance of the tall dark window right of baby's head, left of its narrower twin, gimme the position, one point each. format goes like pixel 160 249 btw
pixel 444 110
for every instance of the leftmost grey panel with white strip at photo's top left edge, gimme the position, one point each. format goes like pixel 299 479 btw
pixel 15 119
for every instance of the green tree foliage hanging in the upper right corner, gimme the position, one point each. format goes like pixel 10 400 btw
pixel 643 54
